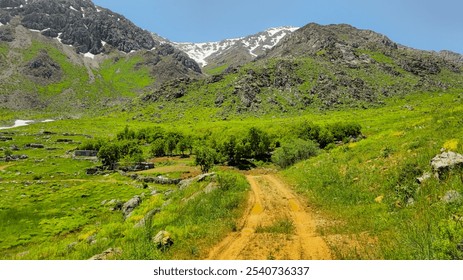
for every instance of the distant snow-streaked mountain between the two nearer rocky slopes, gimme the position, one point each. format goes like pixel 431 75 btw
pixel 234 52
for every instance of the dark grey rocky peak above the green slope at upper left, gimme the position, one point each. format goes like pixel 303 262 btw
pixel 79 23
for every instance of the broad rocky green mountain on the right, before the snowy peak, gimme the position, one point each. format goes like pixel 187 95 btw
pixel 318 67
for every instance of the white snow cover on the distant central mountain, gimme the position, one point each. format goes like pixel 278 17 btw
pixel 255 44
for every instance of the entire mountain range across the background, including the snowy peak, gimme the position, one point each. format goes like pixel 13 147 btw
pixel 72 56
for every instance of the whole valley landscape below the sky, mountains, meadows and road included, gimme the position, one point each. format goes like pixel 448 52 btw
pixel 294 143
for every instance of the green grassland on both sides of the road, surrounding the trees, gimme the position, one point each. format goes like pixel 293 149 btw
pixel 365 191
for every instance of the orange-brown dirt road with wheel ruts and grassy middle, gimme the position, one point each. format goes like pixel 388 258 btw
pixel 276 226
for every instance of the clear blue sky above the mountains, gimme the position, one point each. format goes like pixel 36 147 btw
pixel 422 24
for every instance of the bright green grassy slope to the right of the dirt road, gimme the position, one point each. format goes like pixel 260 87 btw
pixel 345 182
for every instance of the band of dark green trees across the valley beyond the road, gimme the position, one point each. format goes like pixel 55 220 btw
pixel 234 149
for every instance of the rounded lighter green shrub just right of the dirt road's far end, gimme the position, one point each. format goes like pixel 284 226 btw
pixel 293 151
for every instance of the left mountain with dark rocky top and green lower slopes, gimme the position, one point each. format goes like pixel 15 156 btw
pixel 71 54
